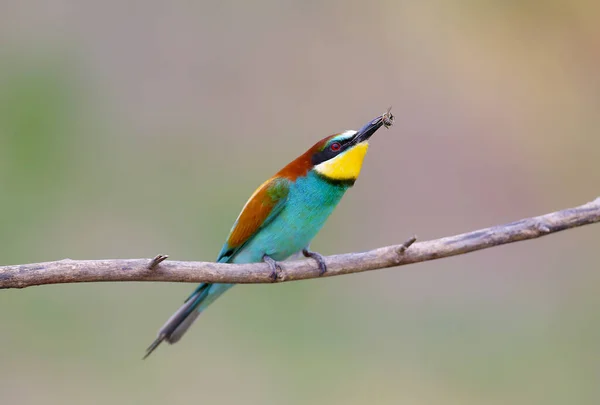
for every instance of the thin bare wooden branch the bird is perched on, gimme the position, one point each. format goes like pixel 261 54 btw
pixel 156 269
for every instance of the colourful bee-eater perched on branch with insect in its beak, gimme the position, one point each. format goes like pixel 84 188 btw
pixel 283 215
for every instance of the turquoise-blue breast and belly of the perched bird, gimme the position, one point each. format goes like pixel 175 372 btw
pixel 310 202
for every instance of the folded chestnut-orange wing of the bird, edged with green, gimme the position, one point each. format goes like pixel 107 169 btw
pixel 261 208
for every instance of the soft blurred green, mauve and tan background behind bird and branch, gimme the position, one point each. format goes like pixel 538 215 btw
pixel 129 129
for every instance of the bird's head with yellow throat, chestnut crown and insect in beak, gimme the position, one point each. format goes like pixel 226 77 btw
pixel 338 158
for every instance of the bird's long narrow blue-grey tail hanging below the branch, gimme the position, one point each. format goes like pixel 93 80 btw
pixel 183 318
